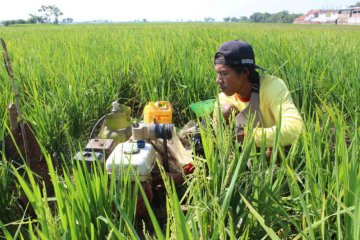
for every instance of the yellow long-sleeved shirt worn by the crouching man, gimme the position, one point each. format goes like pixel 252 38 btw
pixel 274 98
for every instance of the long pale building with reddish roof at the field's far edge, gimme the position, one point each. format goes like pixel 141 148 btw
pixel 349 15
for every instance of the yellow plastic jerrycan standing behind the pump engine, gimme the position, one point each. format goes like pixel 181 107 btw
pixel 158 112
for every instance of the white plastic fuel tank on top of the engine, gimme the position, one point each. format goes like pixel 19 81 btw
pixel 142 160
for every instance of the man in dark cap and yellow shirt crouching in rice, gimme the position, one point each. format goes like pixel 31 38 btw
pixel 244 92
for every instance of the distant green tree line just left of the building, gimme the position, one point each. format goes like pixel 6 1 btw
pixel 257 17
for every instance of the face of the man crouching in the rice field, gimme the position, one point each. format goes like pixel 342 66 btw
pixel 229 81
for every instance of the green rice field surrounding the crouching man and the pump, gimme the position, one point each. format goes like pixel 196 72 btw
pixel 68 76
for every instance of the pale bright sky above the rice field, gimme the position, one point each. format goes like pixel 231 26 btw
pixel 162 10
